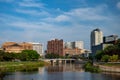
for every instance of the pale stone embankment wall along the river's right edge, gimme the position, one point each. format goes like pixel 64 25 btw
pixel 109 68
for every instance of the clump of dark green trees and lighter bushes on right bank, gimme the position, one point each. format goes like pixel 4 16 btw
pixel 113 51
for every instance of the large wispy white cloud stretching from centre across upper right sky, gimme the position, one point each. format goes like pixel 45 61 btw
pixel 81 14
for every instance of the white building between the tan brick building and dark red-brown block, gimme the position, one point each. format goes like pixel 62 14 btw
pixel 38 47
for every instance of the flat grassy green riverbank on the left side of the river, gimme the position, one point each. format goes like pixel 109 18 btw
pixel 21 66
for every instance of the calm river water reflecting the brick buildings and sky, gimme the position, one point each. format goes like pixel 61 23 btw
pixel 60 72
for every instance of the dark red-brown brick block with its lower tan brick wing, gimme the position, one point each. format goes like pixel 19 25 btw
pixel 58 47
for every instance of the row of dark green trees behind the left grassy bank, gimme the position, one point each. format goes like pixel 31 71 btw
pixel 25 55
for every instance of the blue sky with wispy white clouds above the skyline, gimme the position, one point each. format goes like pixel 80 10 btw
pixel 70 20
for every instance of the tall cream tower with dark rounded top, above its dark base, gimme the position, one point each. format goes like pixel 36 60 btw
pixel 96 37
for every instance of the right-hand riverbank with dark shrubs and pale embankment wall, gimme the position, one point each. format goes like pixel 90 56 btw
pixel 102 67
